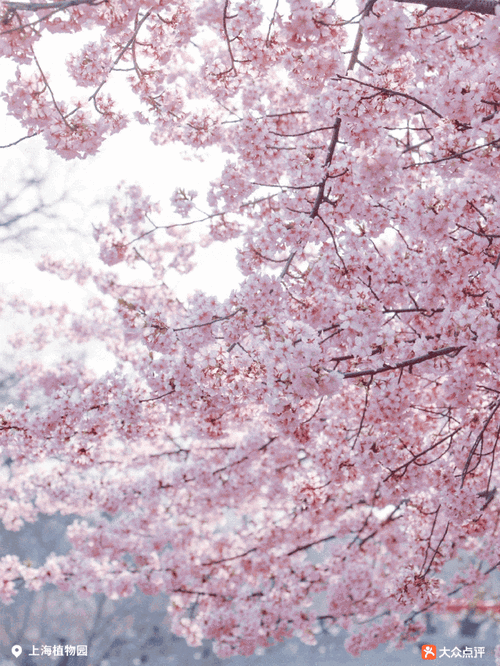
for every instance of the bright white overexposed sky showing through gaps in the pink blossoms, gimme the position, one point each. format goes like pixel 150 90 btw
pixel 128 156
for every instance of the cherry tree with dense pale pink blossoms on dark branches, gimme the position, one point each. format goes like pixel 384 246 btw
pixel 346 395
